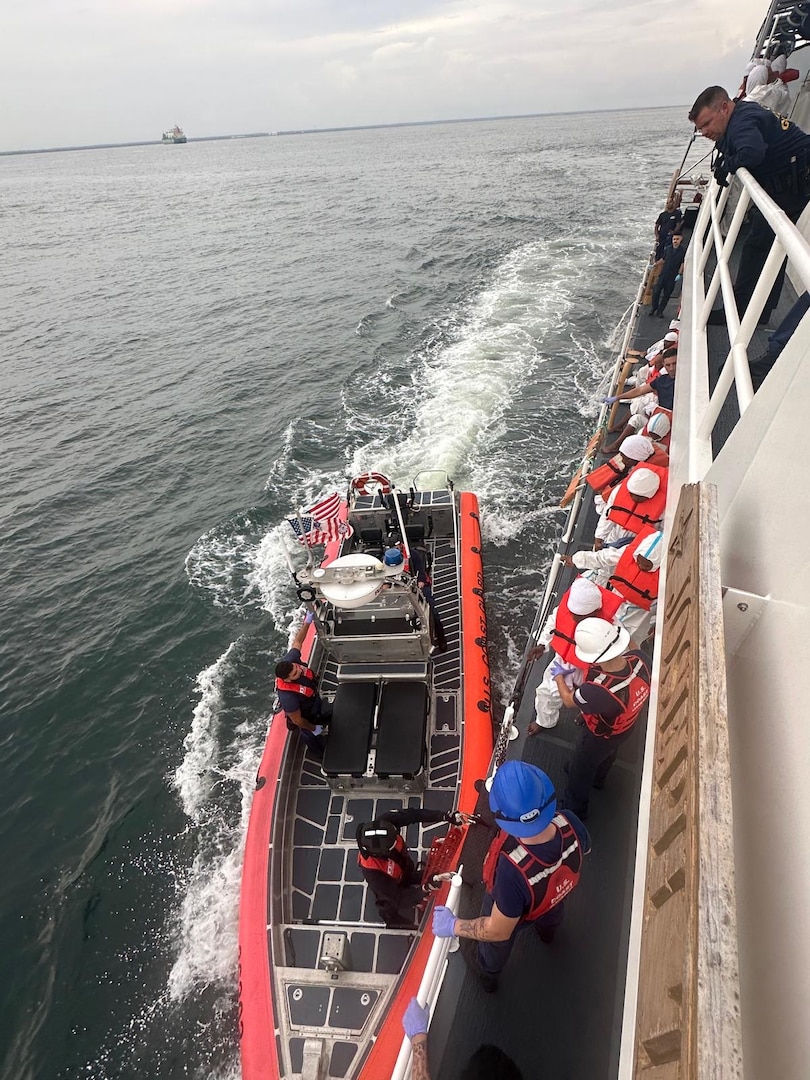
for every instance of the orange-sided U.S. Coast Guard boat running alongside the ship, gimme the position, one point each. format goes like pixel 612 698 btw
pixel 400 652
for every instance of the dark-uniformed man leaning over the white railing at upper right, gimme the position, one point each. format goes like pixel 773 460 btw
pixel 777 154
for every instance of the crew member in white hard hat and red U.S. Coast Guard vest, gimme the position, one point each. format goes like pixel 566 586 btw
pixel 615 692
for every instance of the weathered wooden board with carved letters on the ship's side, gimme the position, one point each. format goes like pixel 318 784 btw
pixel 688 1019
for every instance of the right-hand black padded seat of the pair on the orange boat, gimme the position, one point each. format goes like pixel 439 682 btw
pixel 401 731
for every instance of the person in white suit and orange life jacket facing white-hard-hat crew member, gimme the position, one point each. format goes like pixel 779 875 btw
pixel 583 600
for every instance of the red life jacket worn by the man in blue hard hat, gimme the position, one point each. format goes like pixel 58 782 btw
pixel 548 883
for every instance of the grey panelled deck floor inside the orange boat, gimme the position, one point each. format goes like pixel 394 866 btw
pixel 320 895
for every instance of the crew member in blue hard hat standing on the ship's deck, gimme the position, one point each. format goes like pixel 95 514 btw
pixel 533 863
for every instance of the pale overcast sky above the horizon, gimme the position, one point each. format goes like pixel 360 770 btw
pixel 79 72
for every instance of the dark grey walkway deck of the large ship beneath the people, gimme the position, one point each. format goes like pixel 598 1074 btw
pixel 558 1011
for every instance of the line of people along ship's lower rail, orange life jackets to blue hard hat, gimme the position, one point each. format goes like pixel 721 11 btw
pixel 596 667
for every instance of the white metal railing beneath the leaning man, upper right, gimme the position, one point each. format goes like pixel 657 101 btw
pixel 708 239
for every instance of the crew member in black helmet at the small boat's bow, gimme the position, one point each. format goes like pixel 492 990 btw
pixel 387 867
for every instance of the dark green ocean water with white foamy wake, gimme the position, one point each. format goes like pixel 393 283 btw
pixel 197 340
